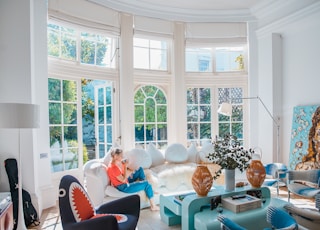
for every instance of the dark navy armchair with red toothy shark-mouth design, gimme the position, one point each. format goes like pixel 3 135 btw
pixel 78 213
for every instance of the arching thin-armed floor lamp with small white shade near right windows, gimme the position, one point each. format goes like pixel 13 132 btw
pixel 226 109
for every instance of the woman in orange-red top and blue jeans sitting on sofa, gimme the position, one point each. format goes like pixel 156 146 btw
pixel 135 182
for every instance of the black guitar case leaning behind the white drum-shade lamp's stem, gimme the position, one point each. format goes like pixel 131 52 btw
pixel 30 213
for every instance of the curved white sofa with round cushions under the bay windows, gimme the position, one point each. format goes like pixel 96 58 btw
pixel 168 172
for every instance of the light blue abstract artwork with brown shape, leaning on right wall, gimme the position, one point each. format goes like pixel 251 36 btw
pixel 305 138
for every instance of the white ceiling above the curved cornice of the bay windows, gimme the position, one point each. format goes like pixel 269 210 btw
pixel 186 10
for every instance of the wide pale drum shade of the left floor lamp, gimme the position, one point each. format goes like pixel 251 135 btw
pixel 19 116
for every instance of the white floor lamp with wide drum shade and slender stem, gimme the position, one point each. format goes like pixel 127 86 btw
pixel 19 116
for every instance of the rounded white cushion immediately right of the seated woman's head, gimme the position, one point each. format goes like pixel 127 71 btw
pixel 138 158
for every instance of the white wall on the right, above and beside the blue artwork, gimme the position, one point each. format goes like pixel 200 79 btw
pixel 300 35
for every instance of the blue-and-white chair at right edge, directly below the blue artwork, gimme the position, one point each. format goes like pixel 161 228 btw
pixel 305 183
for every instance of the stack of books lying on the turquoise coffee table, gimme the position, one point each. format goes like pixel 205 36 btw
pixel 241 203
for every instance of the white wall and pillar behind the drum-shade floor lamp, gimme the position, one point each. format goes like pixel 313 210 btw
pixel 23 78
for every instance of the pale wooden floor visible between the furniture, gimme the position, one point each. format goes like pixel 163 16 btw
pixel 50 219
